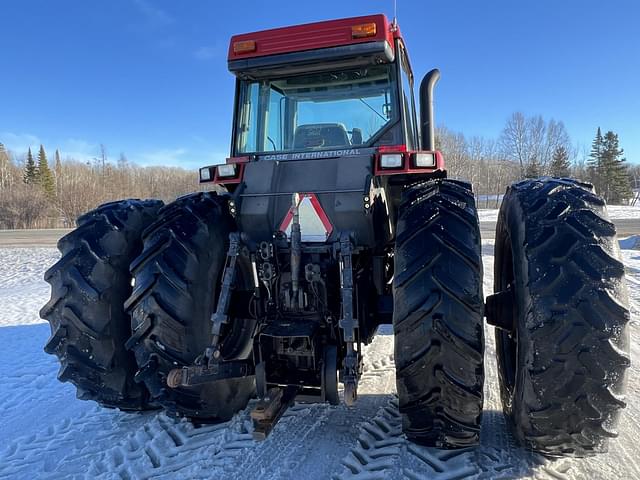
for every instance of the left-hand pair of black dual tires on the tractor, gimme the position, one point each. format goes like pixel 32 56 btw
pixel 176 265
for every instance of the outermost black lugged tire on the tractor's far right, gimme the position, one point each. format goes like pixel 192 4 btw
pixel 562 369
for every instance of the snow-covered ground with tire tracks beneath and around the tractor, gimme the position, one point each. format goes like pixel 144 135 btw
pixel 46 433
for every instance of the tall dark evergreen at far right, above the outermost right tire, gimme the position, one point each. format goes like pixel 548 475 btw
pixel 614 170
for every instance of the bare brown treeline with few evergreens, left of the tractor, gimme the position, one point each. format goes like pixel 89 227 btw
pixel 35 195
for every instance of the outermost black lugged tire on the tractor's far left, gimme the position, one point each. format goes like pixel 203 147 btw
pixel 89 286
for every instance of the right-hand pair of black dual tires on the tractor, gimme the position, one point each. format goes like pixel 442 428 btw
pixel 562 365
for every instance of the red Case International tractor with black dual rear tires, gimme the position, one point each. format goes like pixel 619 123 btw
pixel 336 216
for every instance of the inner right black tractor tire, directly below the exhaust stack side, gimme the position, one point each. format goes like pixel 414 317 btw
pixel 437 318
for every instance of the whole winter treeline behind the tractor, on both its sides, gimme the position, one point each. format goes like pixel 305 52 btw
pixel 35 195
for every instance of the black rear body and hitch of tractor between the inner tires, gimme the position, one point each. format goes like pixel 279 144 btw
pixel 343 284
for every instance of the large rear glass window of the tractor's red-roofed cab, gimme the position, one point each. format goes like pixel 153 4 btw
pixel 316 111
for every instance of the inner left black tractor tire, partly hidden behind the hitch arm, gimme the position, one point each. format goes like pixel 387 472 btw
pixel 176 287
